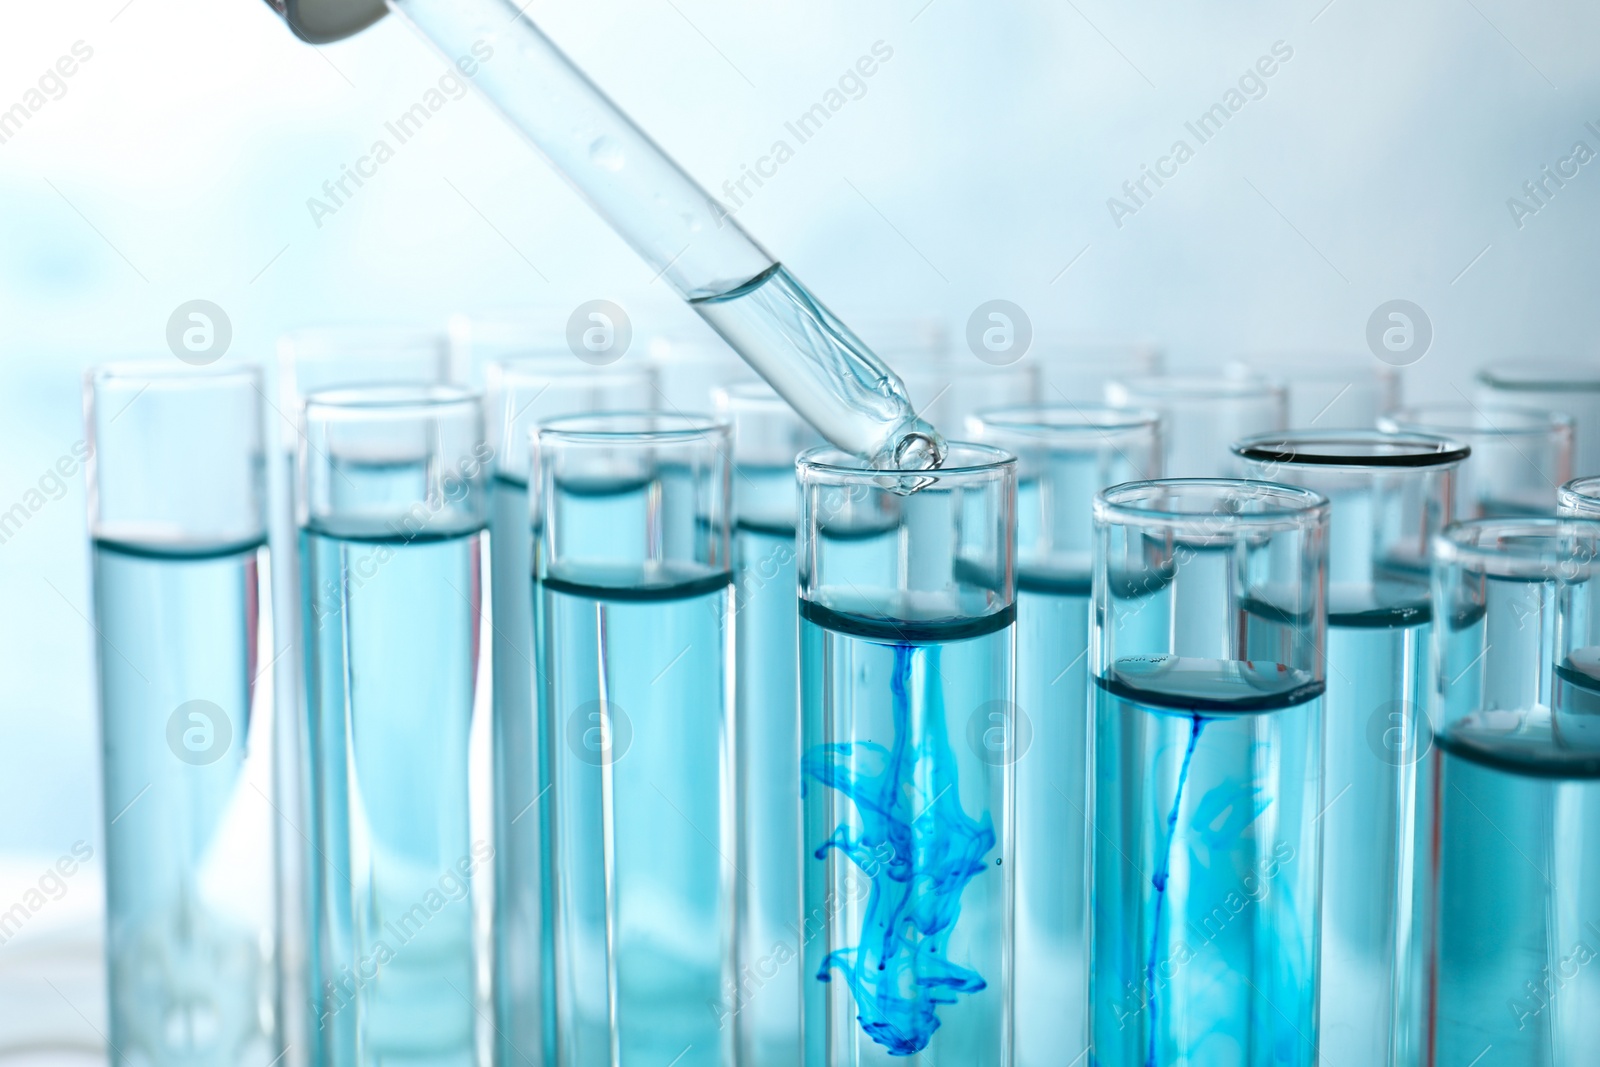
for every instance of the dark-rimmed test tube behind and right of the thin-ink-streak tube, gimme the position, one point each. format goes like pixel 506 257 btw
pixel 1390 495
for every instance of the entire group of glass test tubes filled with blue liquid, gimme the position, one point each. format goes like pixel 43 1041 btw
pixel 463 730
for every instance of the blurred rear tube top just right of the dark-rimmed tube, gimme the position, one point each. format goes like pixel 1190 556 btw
pixel 1519 457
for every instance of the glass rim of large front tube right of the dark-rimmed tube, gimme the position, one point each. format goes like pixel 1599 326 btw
pixel 1530 548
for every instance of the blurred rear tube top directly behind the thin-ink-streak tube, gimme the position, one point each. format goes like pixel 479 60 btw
pixel 1202 415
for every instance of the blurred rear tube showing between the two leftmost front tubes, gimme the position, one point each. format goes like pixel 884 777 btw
pixel 310 361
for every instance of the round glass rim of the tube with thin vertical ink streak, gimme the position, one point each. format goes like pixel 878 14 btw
pixel 1297 508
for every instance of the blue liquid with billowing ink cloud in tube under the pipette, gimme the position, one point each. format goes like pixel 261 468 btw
pixel 906 895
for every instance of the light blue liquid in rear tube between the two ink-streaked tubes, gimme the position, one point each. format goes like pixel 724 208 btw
pixel 1052 821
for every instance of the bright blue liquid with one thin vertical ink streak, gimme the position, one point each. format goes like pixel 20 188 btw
pixel 1206 863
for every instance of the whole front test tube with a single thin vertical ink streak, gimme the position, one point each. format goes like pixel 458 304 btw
pixel 1207 647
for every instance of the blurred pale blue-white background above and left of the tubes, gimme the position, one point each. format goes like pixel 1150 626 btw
pixel 977 166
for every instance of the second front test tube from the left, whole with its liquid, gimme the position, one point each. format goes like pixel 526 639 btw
pixel 393 514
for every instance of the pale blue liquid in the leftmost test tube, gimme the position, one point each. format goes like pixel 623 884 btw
pixel 190 828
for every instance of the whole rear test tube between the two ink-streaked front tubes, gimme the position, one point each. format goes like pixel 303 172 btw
pixel 1065 458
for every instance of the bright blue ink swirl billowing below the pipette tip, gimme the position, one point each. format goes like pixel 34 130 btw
pixel 919 863
